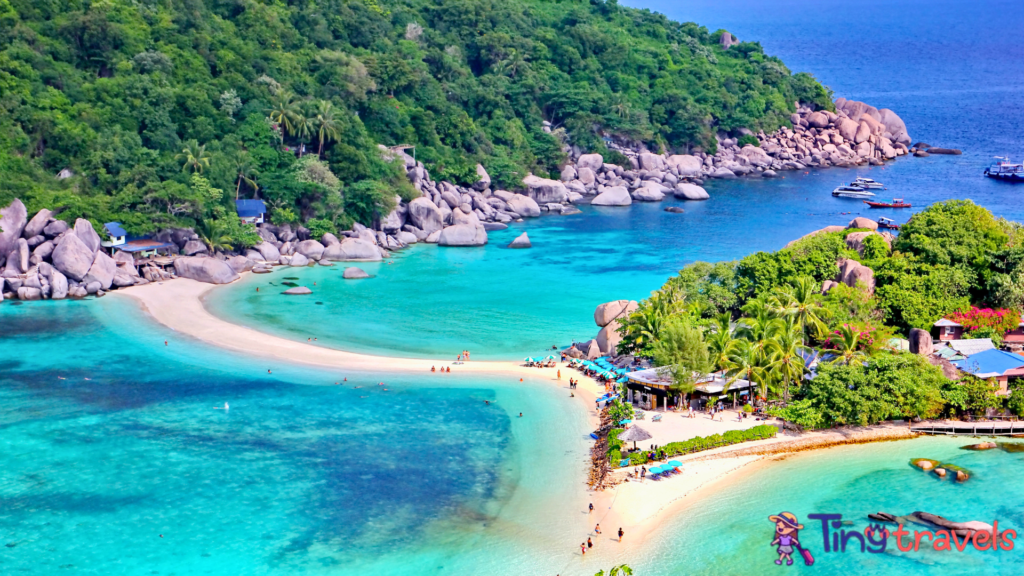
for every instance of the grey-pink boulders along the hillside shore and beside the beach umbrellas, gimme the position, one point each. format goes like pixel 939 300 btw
pixel 48 259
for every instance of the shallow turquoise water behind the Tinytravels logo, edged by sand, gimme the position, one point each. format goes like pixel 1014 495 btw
pixel 730 532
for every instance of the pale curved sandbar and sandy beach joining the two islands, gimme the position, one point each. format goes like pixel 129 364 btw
pixel 636 507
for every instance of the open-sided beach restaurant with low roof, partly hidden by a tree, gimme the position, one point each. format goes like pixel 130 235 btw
pixel 651 390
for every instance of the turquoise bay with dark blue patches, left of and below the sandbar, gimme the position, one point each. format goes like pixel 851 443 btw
pixel 115 461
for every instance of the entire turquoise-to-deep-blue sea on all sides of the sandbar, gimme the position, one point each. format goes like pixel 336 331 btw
pixel 114 460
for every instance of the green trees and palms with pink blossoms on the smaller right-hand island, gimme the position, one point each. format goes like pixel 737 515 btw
pixel 755 317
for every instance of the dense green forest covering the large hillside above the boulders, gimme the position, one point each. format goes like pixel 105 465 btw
pixel 161 112
